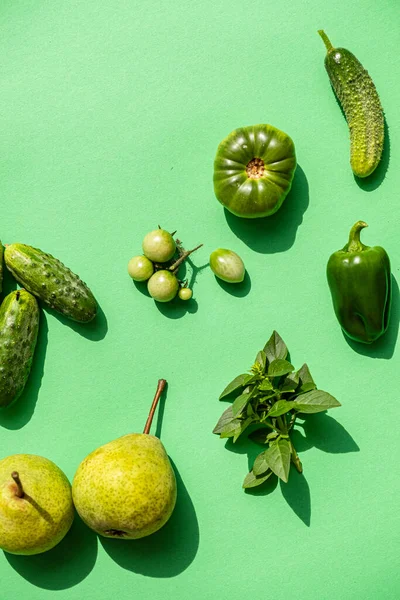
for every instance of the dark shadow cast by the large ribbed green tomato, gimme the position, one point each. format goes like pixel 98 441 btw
pixel 278 232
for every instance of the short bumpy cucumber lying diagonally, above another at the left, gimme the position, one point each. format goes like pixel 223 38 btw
pixel 51 281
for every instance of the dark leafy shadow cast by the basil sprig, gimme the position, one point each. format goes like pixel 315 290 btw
pixel 320 431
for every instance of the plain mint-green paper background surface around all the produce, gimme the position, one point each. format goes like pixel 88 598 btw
pixel 111 113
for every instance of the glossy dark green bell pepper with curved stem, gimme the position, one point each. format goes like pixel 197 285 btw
pixel 360 283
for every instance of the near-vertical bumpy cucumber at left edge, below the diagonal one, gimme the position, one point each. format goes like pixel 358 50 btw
pixel 19 325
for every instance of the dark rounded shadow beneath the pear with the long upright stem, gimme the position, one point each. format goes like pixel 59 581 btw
pixel 169 551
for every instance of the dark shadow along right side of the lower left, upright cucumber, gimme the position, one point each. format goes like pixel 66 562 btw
pixel 20 413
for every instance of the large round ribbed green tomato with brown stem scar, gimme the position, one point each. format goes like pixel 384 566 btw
pixel 253 170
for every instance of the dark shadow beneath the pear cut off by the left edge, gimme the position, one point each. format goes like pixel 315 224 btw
pixel 65 565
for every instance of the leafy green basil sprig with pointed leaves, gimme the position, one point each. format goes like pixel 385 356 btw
pixel 272 396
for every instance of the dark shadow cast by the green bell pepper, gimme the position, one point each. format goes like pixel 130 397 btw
pixel 385 345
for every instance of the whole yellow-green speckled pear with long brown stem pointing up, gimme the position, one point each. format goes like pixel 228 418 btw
pixel 126 489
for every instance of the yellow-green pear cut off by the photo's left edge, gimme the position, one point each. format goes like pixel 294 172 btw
pixel 36 509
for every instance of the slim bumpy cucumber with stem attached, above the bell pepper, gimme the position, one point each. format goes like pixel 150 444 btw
pixel 357 94
